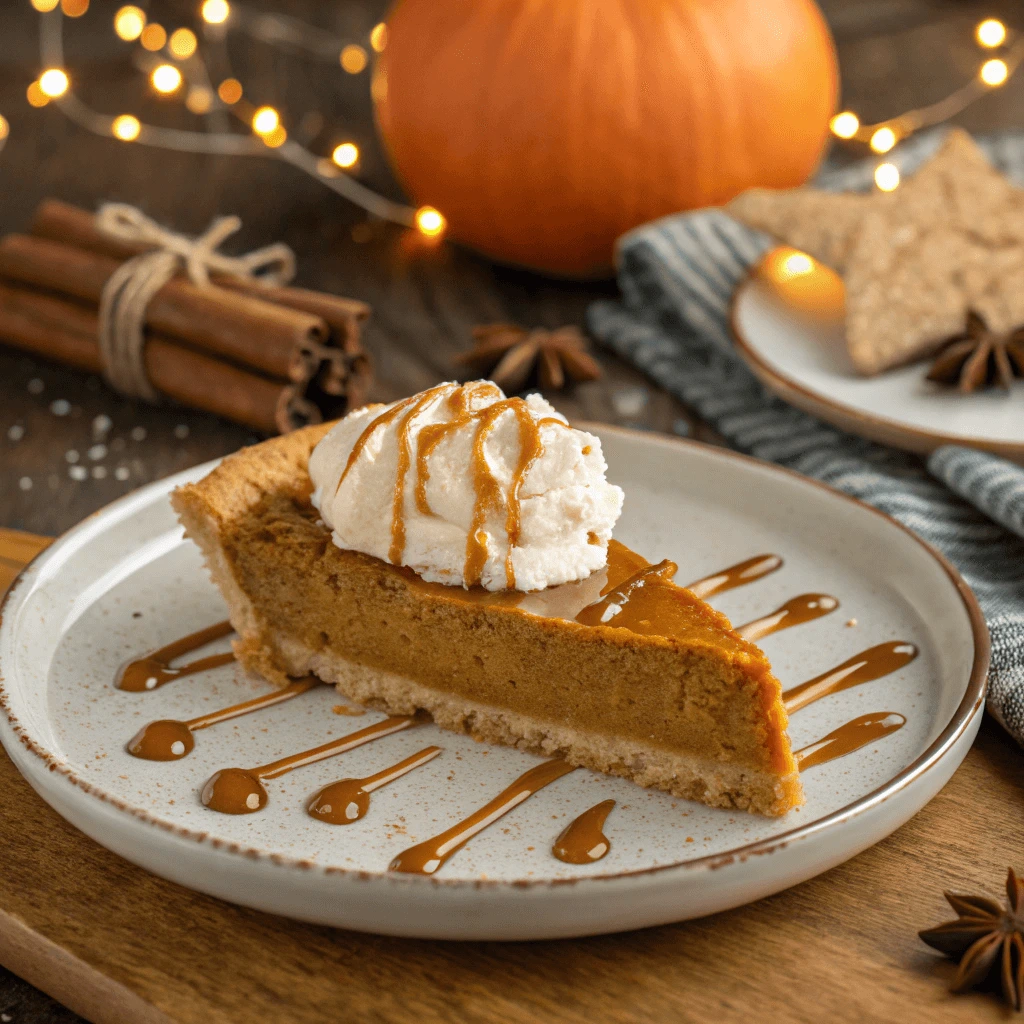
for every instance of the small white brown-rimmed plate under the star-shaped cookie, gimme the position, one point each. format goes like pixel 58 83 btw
pixel 804 360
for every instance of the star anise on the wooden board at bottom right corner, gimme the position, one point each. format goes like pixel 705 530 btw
pixel 987 940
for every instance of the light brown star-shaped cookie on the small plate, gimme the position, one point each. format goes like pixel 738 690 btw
pixel 916 261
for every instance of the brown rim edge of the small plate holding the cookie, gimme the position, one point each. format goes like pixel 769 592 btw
pixel 877 429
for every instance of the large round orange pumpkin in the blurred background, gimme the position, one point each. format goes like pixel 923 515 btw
pixel 544 130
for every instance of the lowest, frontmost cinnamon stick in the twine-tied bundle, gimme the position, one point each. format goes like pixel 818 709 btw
pixel 66 331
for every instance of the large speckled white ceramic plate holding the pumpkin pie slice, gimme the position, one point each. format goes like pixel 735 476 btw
pixel 125 582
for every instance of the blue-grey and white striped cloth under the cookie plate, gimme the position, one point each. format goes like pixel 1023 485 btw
pixel 677 277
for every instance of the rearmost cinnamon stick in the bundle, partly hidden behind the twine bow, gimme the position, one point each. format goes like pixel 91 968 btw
pixel 63 223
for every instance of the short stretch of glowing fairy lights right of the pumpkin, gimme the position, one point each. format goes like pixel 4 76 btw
pixel 1005 58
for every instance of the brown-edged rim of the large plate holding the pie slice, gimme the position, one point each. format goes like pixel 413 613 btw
pixel 963 718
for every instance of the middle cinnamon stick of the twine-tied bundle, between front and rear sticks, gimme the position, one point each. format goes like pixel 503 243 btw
pixel 249 331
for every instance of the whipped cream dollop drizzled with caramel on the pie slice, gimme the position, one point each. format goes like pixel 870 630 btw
pixel 466 488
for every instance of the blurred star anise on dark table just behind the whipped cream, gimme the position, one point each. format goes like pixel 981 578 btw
pixel 514 356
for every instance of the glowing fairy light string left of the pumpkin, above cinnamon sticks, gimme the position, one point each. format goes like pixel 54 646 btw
pixel 177 66
